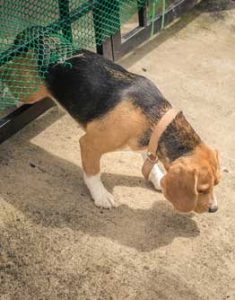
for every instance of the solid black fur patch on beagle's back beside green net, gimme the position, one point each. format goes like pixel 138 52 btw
pixel 87 85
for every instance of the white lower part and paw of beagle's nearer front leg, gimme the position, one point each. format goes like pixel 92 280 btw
pixel 98 192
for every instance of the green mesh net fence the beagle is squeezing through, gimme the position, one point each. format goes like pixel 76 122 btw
pixel 36 33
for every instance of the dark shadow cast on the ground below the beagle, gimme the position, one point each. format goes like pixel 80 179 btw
pixel 50 191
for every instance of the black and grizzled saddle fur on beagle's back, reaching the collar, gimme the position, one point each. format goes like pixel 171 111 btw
pixel 88 86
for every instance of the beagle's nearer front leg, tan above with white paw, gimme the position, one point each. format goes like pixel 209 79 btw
pixel 91 156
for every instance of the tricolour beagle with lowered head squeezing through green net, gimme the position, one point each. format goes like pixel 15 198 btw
pixel 119 109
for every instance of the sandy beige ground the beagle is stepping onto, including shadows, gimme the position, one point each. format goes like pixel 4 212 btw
pixel 55 244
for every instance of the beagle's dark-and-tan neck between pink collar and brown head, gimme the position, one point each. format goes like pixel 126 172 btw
pixel 177 140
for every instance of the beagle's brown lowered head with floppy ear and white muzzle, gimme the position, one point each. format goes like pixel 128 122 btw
pixel 190 180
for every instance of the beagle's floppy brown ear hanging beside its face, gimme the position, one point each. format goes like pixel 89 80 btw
pixel 179 186
